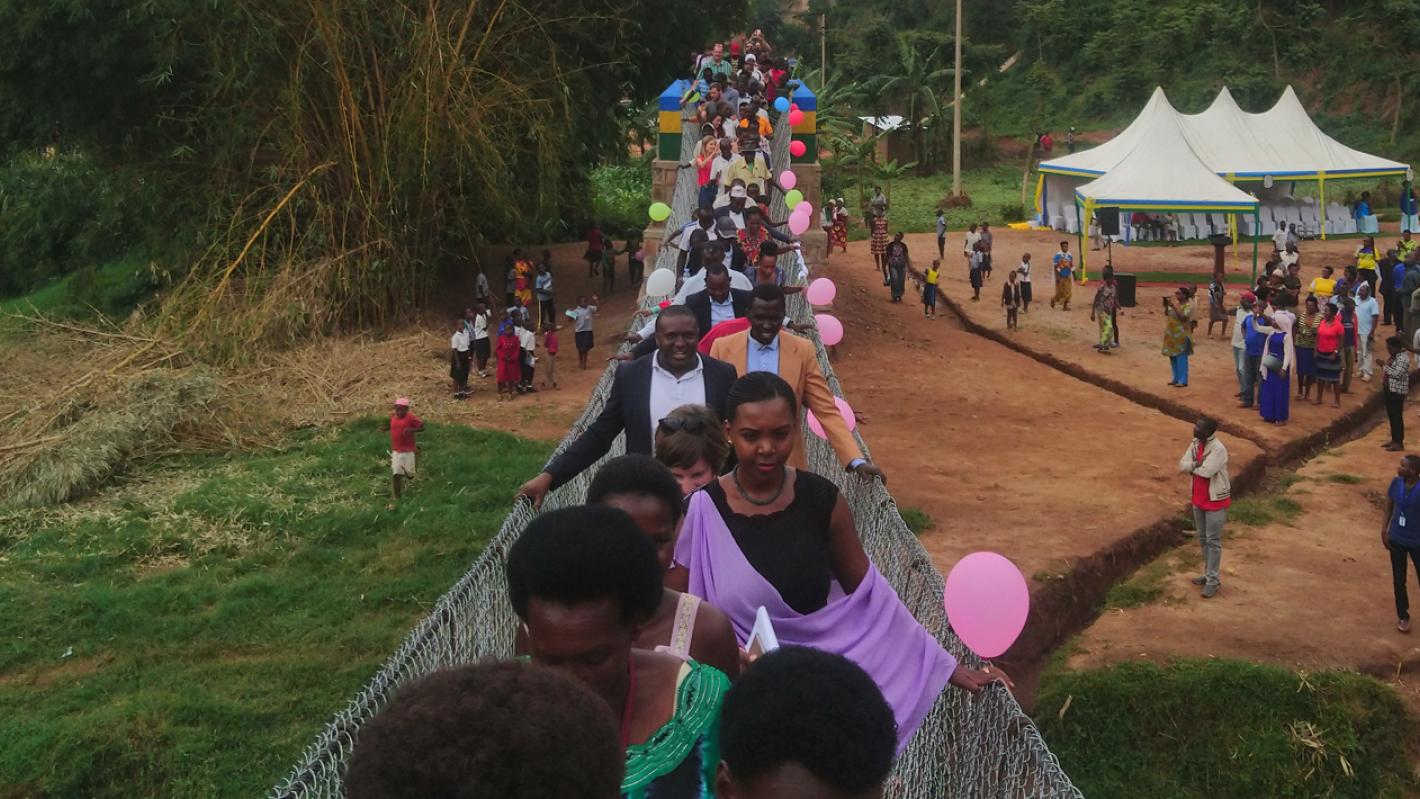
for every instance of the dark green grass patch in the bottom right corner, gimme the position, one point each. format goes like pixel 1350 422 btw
pixel 1226 729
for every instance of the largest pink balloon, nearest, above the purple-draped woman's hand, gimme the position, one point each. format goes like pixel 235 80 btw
pixel 988 602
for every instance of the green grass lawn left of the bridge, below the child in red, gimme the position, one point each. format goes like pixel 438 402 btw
pixel 190 632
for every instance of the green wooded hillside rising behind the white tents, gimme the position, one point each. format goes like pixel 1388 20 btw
pixel 1091 65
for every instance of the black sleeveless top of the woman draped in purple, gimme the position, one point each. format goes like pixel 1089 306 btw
pixel 790 547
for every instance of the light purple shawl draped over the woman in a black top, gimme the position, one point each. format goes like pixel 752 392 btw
pixel 870 627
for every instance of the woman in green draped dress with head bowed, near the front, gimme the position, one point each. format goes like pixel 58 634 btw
pixel 586 581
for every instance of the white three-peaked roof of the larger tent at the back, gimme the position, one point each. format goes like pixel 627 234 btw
pixel 1280 143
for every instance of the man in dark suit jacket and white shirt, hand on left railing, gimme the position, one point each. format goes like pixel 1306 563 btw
pixel 644 392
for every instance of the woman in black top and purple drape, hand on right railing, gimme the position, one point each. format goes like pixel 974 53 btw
pixel 769 536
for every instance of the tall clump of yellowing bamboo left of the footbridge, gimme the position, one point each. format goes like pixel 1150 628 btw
pixel 403 134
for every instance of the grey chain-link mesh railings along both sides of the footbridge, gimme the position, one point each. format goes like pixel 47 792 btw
pixel 981 746
